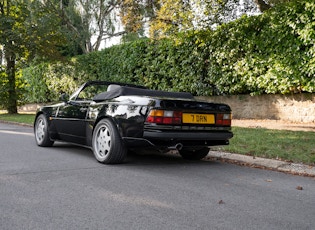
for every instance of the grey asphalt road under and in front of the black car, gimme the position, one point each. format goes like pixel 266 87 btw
pixel 63 187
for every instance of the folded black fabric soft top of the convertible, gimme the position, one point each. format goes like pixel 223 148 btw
pixel 132 91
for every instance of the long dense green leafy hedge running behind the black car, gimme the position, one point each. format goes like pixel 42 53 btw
pixel 269 53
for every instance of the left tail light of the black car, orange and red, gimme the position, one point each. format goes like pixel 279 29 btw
pixel 166 117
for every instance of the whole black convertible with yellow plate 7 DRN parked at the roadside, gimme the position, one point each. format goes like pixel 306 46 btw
pixel 112 118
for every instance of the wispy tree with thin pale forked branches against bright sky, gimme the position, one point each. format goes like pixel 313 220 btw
pixel 88 23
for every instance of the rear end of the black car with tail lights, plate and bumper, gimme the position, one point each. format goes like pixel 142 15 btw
pixel 177 124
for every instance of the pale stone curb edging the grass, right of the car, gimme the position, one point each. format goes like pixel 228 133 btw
pixel 258 162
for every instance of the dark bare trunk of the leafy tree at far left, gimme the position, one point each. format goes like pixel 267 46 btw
pixel 11 104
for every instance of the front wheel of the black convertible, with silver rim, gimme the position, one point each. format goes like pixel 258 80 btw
pixel 41 131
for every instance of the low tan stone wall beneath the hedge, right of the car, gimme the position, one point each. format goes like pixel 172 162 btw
pixel 293 108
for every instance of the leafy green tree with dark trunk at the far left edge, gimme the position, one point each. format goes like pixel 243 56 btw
pixel 27 29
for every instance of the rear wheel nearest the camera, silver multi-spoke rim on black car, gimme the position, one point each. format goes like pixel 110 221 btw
pixel 107 145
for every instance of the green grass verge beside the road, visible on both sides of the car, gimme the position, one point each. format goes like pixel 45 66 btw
pixel 295 146
